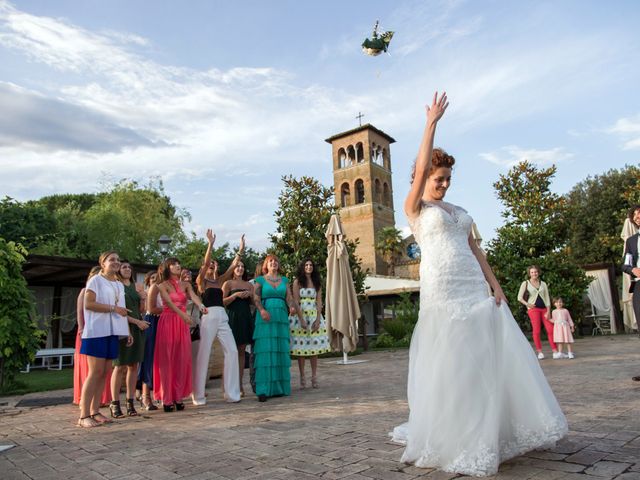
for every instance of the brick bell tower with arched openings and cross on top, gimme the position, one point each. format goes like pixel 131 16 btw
pixel 363 191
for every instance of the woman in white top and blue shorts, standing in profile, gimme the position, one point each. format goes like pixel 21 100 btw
pixel 105 322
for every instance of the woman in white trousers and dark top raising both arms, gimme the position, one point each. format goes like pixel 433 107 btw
pixel 215 324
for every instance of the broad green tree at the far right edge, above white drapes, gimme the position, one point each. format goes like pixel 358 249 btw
pixel 597 208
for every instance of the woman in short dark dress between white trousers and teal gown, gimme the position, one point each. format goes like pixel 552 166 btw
pixel 237 296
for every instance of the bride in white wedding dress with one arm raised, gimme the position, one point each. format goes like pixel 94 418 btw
pixel 477 395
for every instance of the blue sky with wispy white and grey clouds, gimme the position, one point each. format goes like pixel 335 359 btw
pixel 220 99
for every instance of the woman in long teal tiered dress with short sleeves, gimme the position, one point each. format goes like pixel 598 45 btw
pixel 271 335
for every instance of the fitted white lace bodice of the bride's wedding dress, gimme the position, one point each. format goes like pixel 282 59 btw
pixel 449 272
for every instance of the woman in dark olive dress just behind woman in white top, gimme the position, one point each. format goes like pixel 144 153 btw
pixel 129 357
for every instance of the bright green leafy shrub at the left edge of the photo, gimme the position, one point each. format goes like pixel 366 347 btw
pixel 19 333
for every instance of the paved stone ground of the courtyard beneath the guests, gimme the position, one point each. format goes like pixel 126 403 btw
pixel 336 432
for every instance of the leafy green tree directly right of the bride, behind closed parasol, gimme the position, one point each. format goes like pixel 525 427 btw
pixel 535 232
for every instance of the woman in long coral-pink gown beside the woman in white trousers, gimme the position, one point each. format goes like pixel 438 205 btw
pixel 172 360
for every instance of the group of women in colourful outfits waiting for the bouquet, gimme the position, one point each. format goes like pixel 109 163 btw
pixel 146 333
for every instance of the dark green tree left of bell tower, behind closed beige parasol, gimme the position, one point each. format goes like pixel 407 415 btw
pixel 305 207
